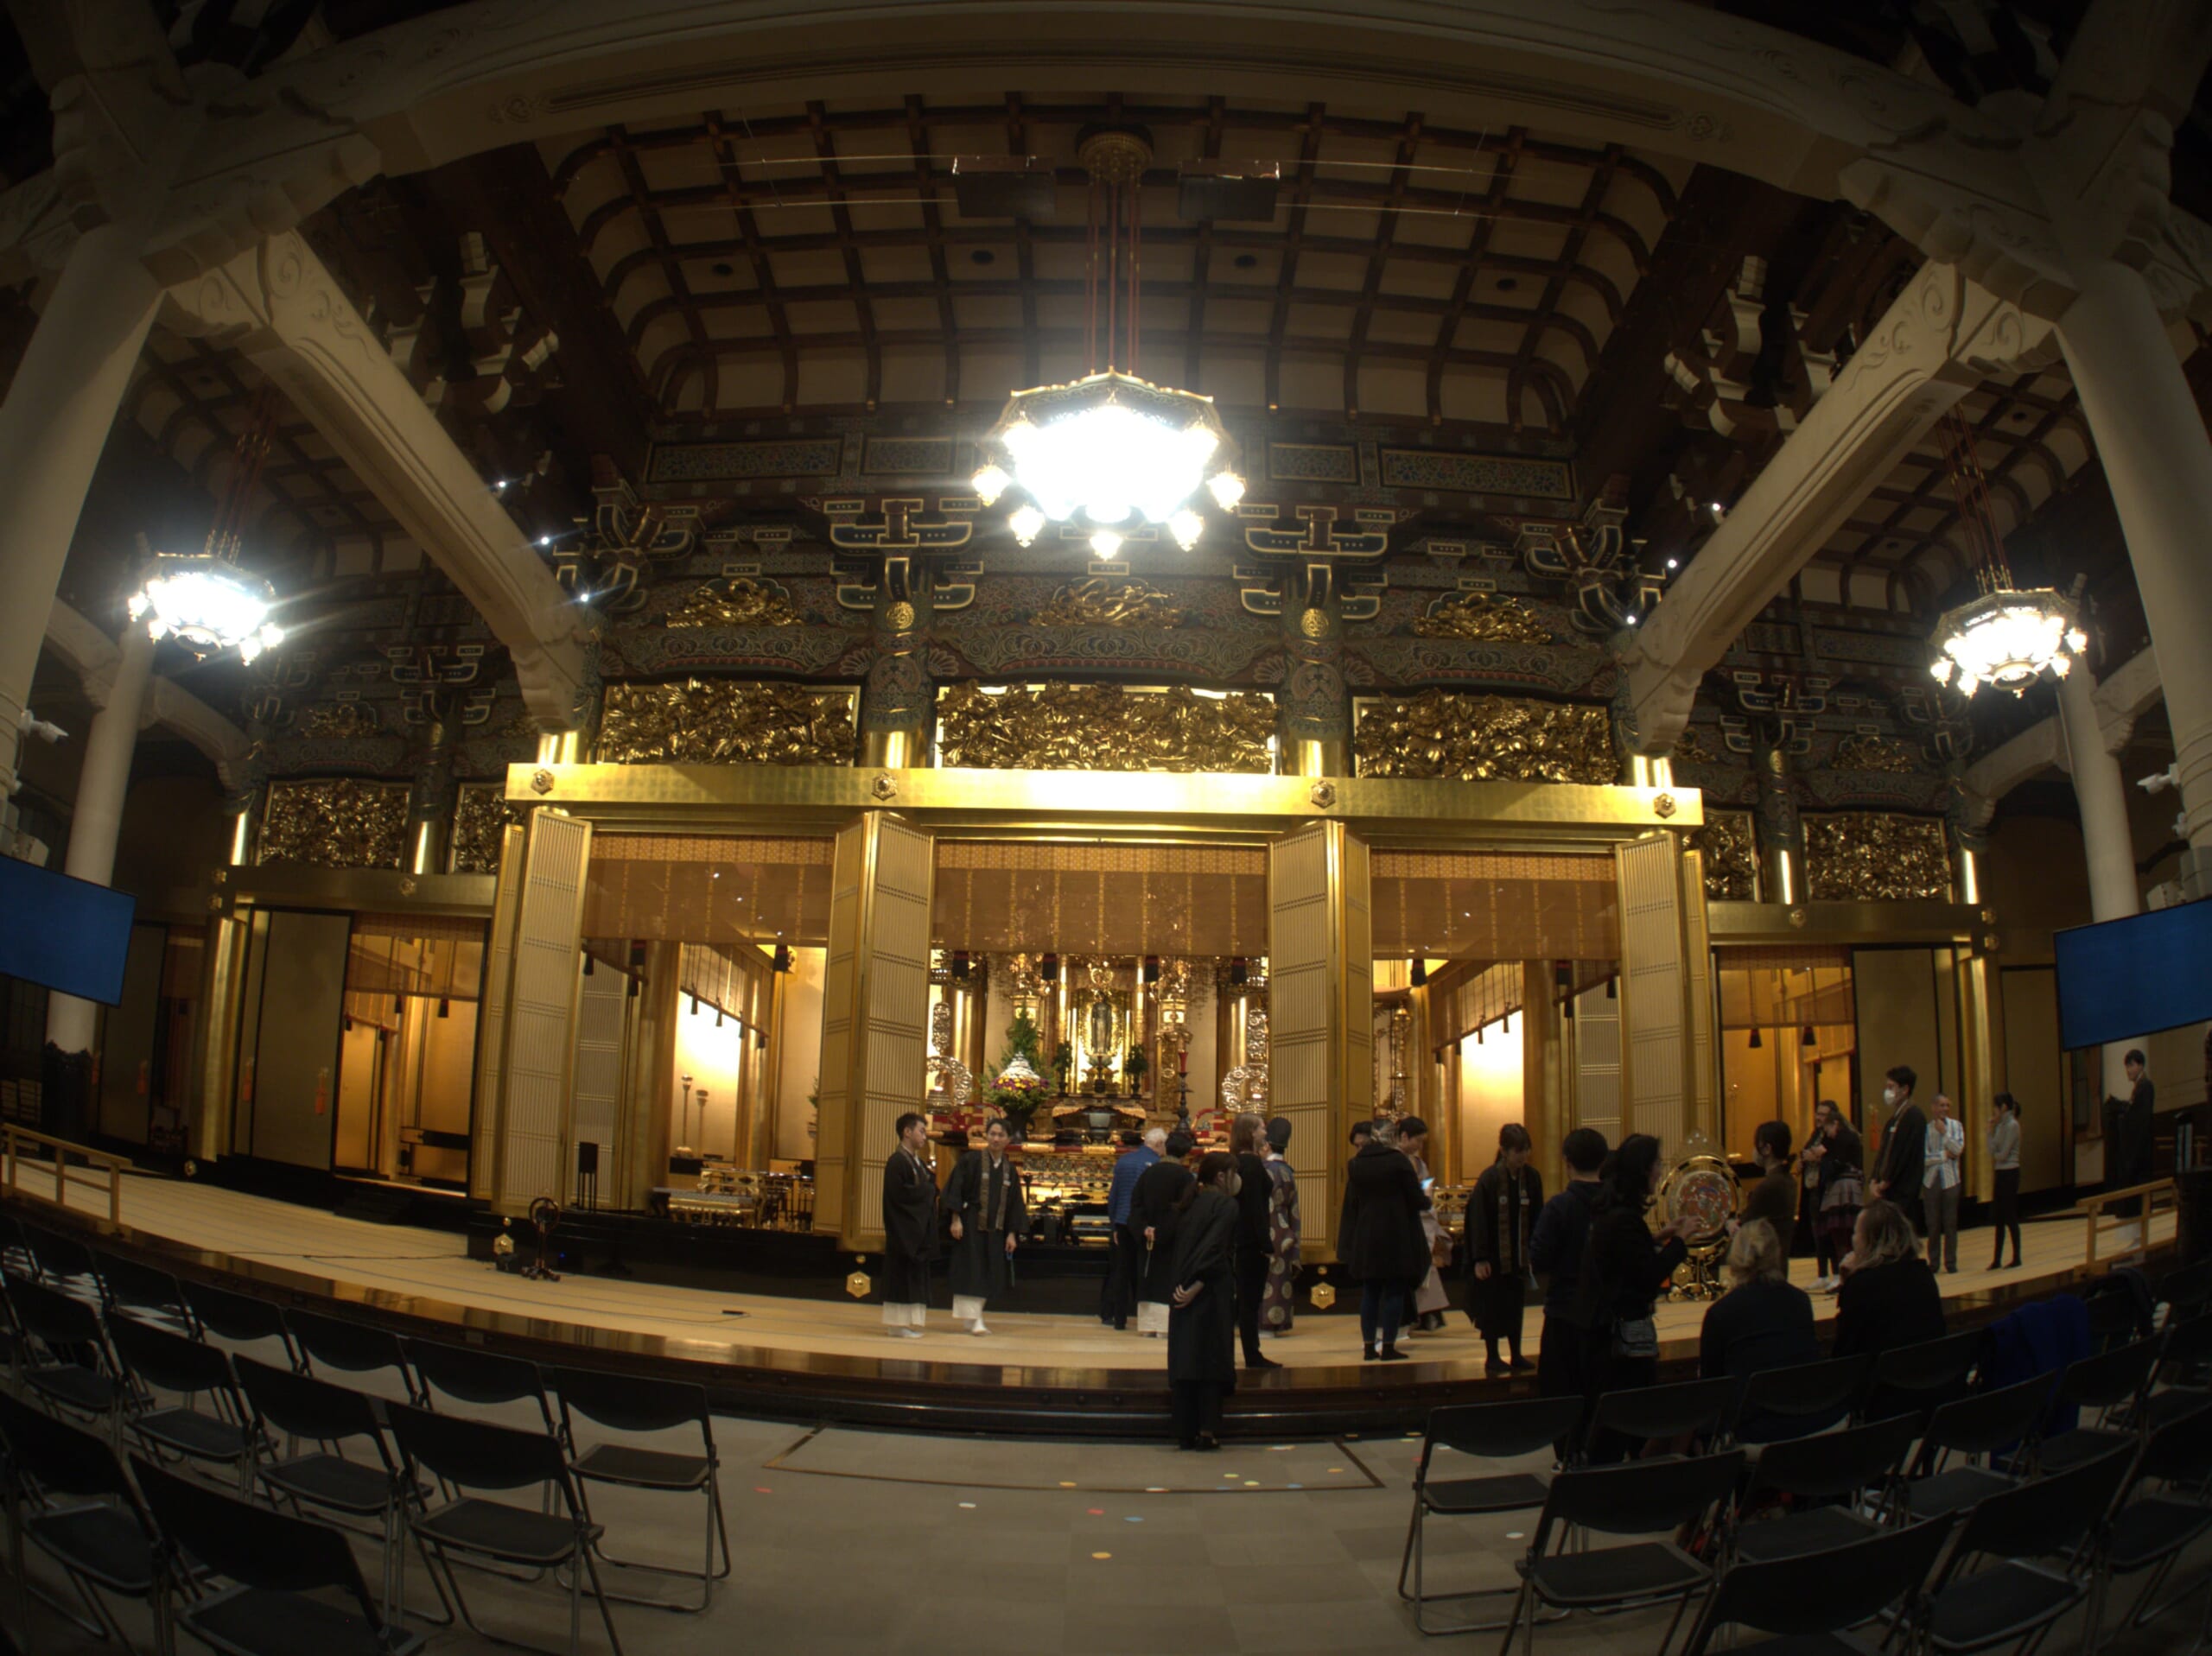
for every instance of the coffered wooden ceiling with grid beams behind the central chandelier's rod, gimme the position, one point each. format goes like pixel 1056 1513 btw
pixel 815 260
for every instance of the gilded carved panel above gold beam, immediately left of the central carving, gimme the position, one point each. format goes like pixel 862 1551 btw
pixel 727 724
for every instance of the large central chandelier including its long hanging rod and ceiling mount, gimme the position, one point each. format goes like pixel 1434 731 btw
pixel 1109 450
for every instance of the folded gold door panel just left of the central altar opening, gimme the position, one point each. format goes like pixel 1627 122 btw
pixel 875 1016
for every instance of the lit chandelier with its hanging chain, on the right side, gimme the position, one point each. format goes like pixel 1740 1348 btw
pixel 2003 638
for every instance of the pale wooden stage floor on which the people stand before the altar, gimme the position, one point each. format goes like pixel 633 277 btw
pixel 833 1361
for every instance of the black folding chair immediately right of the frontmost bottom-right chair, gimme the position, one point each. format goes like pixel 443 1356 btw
pixel 2016 1600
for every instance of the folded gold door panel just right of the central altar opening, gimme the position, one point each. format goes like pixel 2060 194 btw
pixel 1322 1007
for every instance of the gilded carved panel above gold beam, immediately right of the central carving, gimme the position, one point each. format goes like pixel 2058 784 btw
pixel 1446 735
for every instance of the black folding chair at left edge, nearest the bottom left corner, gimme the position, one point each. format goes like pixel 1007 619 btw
pixel 87 1520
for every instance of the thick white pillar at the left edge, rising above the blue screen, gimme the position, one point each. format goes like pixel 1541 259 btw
pixel 54 426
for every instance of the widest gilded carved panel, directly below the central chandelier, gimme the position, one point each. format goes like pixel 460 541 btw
pixel 1103 726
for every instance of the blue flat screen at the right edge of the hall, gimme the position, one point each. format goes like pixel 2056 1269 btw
pixel 2136 976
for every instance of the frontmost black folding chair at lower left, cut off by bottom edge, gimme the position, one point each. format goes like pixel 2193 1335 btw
pixel 275 1562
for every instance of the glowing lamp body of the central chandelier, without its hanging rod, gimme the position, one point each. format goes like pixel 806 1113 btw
pixel 1114 452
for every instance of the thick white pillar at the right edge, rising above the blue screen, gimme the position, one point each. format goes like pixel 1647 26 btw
pixel 2158 459
